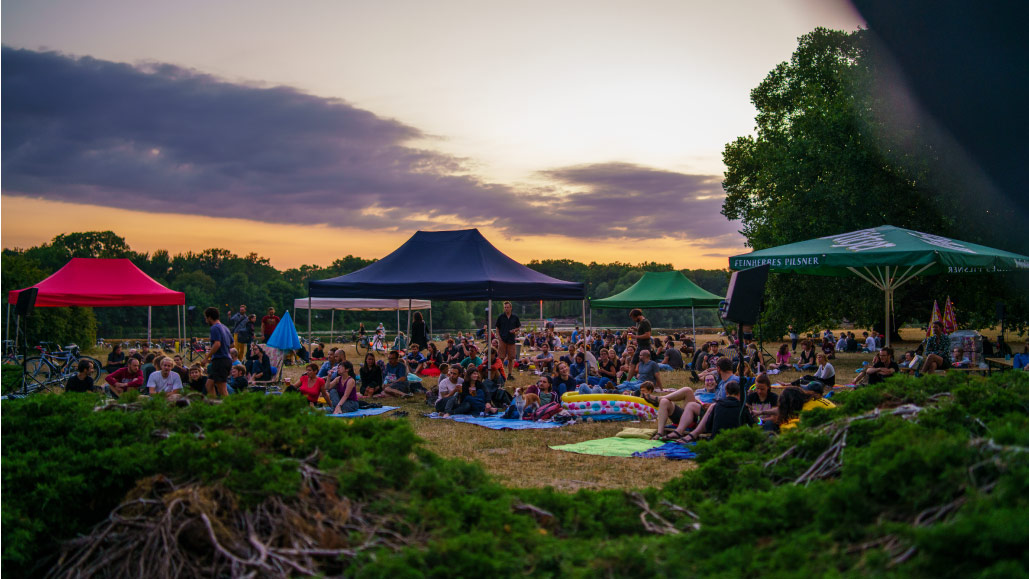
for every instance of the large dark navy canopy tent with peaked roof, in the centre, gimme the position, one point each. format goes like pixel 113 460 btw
pixel 465 267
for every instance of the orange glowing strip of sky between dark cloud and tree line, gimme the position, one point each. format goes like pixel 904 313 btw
pixel 291 246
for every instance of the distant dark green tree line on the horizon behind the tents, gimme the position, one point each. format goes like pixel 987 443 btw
pixel 225 280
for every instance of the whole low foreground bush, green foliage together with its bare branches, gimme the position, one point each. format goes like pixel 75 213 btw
pixel 910 478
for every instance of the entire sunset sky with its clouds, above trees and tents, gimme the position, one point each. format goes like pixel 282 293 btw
pixel 309 131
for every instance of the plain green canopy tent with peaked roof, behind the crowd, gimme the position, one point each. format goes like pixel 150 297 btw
pixel 662 289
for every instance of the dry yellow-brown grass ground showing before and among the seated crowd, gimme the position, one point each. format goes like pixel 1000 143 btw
pixel 524 459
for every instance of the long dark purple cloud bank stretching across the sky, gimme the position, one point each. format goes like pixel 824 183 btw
pixel 157 137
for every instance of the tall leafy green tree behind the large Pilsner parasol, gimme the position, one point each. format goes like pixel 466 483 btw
pixel 830 157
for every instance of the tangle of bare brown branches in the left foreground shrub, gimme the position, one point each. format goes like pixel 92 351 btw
pixel 169 530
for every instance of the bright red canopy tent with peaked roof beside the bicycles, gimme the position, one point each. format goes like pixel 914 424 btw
pixel 103 283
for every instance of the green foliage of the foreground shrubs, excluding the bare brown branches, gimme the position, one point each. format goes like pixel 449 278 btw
pixel 65 466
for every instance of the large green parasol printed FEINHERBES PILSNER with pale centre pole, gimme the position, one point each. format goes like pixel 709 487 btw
pixel 886 258
